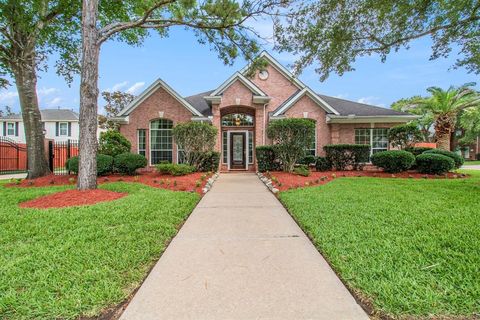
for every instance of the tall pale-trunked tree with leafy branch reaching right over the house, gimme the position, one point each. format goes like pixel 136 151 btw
pixel 220 23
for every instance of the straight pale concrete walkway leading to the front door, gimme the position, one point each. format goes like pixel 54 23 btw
pixel 241 256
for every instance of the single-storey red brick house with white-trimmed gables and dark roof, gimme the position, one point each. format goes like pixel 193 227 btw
pixel 241 109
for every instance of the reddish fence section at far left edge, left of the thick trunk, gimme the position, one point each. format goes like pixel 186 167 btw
pixel 13 156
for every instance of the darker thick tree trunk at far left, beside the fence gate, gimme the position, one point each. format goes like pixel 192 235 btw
pixel 26 82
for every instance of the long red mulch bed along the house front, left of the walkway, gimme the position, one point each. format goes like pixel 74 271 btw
pixel 192 182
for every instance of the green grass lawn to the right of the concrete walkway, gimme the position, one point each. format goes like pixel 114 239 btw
pixel 412 247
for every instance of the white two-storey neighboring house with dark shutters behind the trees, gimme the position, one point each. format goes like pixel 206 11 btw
pixel 59 125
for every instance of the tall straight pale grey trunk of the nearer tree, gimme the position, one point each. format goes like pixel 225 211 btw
pixel 87 173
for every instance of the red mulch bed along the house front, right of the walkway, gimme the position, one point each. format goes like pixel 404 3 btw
pixel 284 181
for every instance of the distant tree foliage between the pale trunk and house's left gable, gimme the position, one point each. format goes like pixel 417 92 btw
pixel 116 101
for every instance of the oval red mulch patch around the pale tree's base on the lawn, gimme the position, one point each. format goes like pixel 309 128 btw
pixel 72 198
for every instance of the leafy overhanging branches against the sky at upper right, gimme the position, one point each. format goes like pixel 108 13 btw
pixel 335 33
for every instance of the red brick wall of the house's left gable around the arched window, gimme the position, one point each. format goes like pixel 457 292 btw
pixel 149 110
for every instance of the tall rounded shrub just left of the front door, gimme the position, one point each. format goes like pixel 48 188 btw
pixel 195 139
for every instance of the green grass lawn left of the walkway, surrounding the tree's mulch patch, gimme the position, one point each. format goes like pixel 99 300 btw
pixel 62 263
